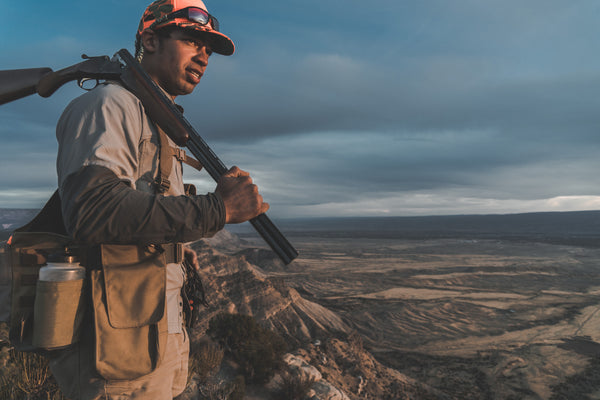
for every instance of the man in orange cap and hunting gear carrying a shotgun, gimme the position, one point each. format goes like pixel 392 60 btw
pixel 123 199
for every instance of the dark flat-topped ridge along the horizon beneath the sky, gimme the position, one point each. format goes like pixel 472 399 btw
pixel 568 227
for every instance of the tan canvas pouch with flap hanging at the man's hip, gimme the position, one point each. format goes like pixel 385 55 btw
pixel 129 308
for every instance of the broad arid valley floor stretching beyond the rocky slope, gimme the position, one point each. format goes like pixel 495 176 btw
pixel 469 319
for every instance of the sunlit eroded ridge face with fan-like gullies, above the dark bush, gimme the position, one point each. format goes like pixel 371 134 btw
pixel 235 285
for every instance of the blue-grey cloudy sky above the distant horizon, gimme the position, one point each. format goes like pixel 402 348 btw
pixel 347 108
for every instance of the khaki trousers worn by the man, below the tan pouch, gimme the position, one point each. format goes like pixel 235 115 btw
pixel 75 373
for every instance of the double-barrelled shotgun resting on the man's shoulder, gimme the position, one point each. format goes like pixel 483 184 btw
pixel 15 84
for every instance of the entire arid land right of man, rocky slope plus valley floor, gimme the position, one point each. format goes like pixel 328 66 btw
pixel 419 319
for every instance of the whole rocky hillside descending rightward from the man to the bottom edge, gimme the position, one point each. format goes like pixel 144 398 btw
pixel 242 281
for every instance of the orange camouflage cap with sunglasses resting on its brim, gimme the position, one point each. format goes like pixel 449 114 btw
pixel 187 14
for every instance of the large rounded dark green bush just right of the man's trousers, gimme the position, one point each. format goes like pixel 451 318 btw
pixel 257 350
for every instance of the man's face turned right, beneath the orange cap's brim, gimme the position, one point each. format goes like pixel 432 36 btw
pixel 180 62
